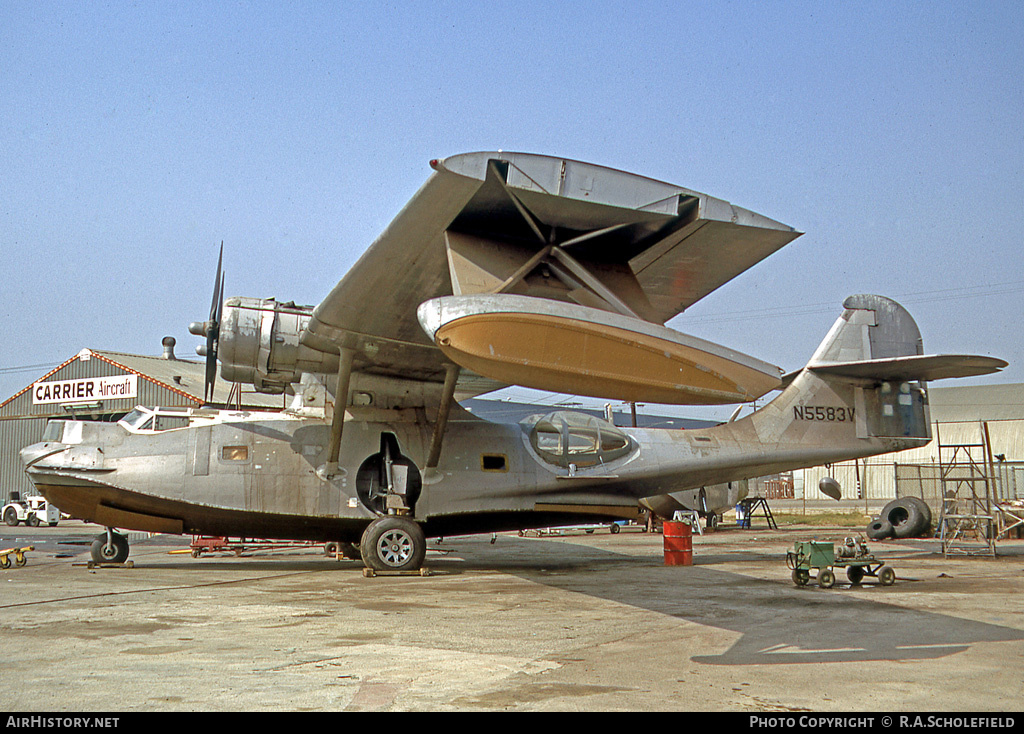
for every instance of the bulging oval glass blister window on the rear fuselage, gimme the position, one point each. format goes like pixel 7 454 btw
pixel 566 438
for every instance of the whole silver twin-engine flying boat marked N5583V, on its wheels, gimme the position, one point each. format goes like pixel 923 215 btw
pixel 503 270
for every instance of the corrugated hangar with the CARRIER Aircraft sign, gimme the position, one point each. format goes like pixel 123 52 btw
pixel 105 386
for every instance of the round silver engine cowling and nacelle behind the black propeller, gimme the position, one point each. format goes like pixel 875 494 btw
pixel 260 344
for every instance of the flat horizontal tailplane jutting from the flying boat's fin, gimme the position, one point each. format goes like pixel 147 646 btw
pixel 917 367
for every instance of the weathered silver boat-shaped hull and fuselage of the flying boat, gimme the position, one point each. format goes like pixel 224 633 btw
pixel 265 478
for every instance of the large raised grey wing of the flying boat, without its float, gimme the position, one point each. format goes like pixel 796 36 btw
pixel 539 227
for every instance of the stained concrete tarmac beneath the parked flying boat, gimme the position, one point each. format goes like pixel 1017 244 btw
pixel 559 623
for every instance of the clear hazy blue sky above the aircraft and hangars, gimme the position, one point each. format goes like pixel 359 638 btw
pixel 138 137
